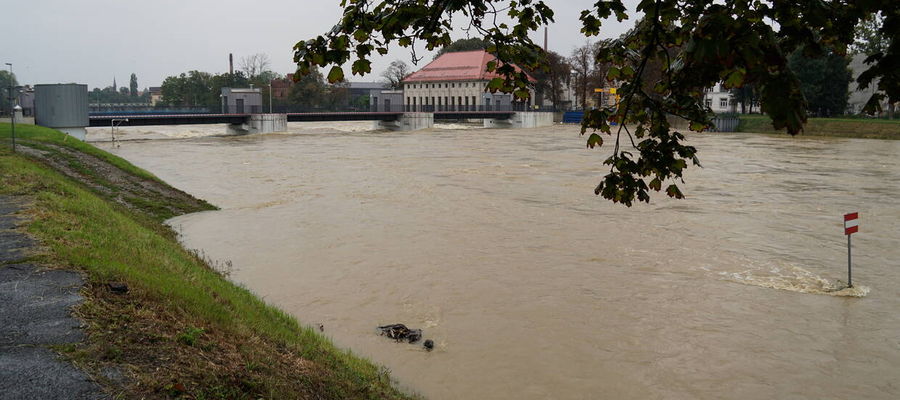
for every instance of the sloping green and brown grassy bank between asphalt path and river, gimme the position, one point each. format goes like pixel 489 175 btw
pixel 182 330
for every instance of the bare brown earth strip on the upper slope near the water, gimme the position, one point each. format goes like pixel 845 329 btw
pixel 150 197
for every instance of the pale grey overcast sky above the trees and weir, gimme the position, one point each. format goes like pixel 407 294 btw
pixel 92 41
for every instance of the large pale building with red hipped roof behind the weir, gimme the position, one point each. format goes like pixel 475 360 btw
pixel 457 81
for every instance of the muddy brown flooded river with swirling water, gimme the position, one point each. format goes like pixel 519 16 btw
pixel 531 287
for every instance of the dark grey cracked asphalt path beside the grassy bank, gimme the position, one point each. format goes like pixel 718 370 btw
pixel 35 309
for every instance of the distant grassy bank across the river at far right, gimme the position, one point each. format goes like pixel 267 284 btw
pixel 839 127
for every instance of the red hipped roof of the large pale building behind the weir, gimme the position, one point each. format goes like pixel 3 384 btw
pixel 457 66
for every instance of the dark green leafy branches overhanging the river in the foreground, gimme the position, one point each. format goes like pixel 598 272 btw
pixel 691 45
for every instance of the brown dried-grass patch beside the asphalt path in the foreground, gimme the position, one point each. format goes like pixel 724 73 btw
pixel 163 355
